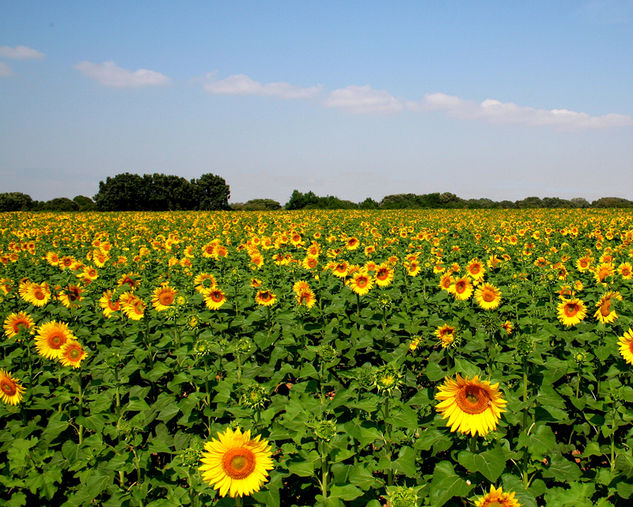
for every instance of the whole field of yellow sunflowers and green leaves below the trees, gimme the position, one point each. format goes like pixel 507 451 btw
pixel 331 358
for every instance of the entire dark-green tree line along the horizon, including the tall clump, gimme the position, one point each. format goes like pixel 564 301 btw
pixel 161 192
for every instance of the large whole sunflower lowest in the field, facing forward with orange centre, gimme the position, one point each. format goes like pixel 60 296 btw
pixel 235 463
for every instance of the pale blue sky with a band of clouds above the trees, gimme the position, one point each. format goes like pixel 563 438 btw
pixel 496 99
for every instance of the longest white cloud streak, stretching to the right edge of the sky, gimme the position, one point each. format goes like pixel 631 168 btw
pixel 498 112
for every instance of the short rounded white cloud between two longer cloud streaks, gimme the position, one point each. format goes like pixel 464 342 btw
pixel 363 100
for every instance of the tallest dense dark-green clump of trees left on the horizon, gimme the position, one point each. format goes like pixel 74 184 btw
pixel 161 192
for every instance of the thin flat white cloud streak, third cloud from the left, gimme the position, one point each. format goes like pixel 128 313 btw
pixel 241 84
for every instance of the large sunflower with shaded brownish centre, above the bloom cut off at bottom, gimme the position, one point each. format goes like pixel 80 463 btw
pixel 471 406
